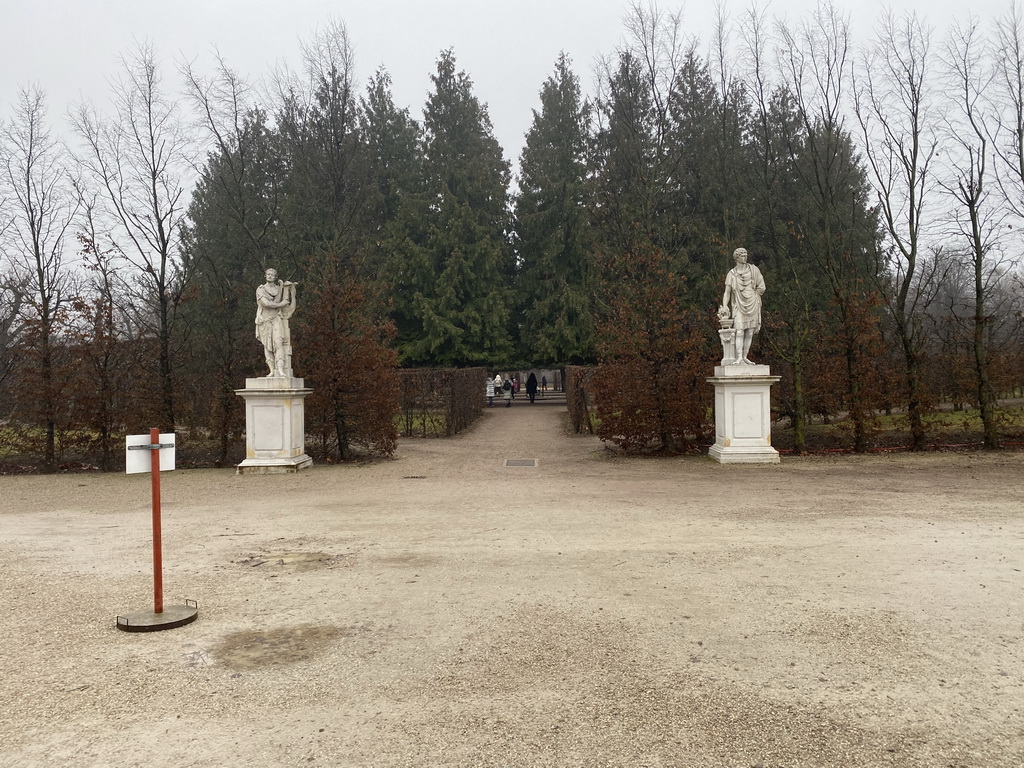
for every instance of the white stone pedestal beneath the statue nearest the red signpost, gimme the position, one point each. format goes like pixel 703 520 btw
pixel 275 425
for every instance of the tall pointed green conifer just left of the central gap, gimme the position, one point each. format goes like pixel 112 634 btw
pixel 451 261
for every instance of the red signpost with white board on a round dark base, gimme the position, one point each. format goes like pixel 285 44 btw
pixel 161 458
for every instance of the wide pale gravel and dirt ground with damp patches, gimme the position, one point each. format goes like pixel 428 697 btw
pixel 446 610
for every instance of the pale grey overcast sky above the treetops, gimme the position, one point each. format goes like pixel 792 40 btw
pixel 507 48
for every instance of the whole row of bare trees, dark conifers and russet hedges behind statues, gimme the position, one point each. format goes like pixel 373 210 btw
pixel 878 188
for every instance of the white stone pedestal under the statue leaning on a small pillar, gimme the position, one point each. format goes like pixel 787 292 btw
pixel 743 415
